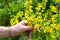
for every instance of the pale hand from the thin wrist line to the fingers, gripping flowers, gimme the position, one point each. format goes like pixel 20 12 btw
pixel 20 28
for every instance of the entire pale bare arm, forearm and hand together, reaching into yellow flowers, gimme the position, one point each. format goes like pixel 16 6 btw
pixel 15 30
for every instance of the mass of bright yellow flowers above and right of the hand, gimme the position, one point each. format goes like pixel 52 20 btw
pixel 42 18
